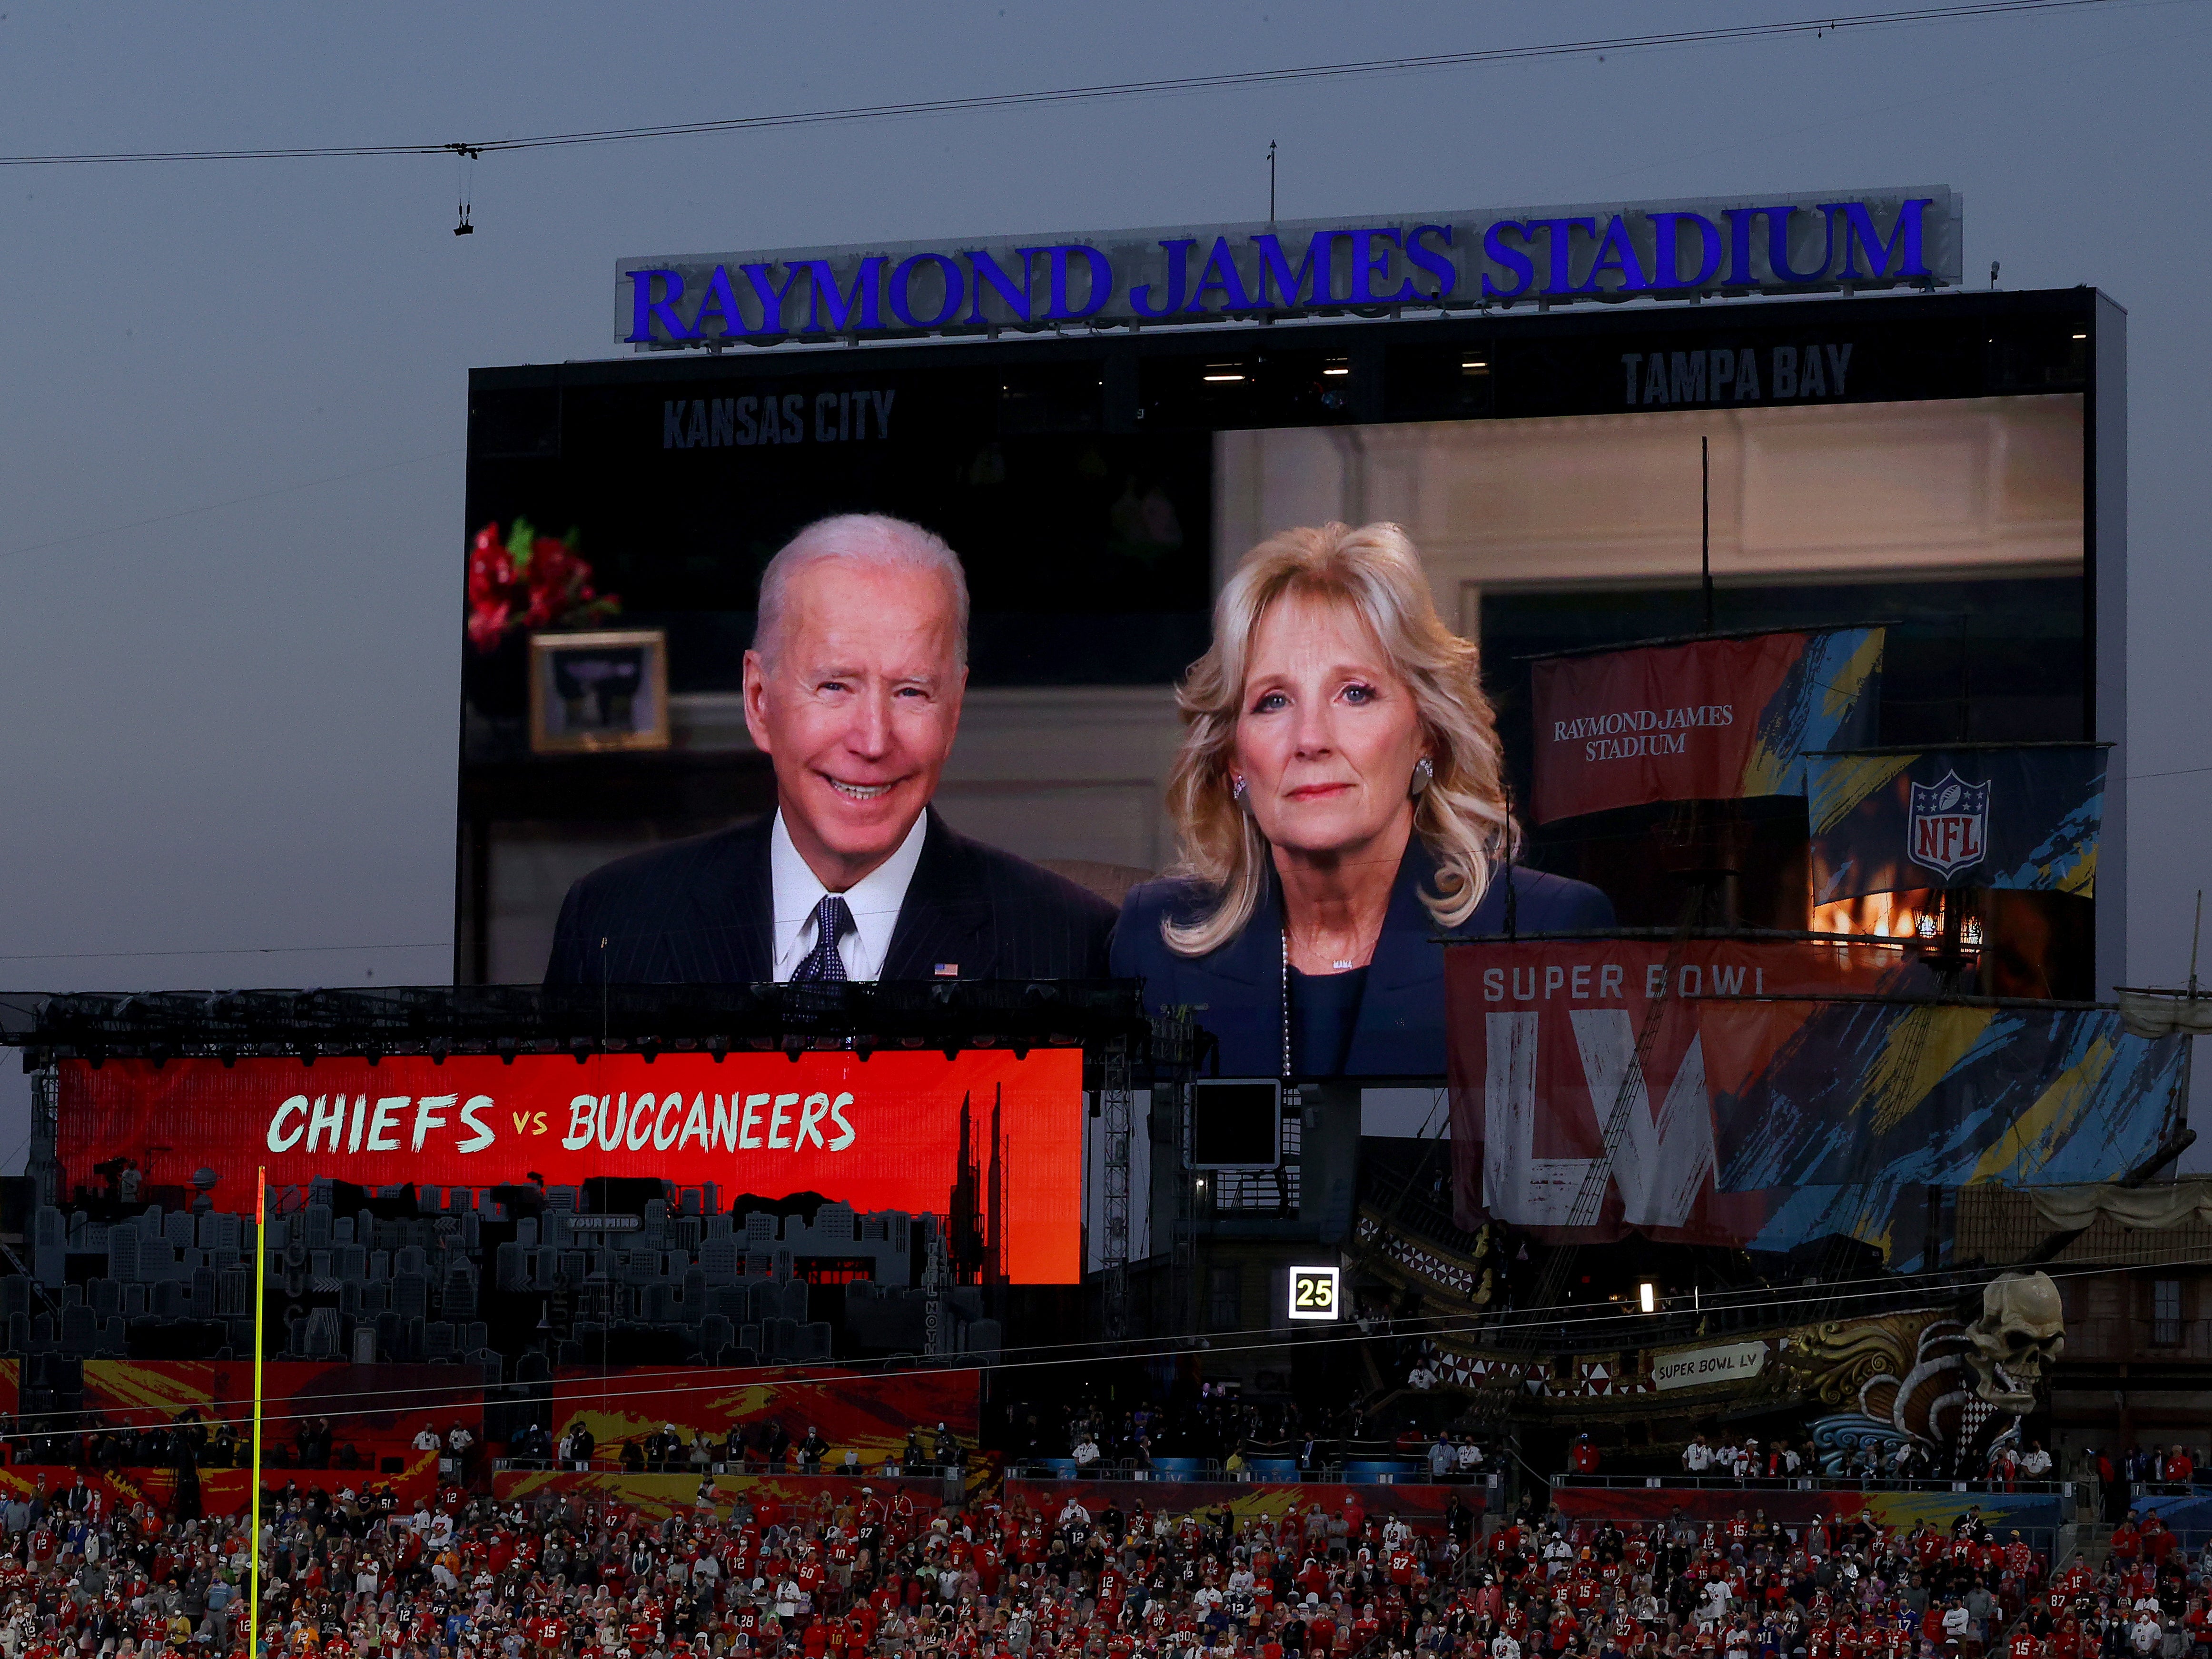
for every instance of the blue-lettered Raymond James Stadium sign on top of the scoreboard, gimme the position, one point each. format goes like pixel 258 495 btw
pixel 1324 267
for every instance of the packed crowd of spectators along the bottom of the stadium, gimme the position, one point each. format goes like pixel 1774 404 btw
pixel 855 1572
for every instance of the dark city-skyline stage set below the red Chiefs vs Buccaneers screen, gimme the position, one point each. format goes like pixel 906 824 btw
pixel 463 1277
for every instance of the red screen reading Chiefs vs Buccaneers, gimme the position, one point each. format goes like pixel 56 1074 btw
pixel 985 1131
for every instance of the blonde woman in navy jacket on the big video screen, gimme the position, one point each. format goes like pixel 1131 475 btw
pixel 1339 804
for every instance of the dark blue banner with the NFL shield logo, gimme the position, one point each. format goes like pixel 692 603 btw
pixel 2016 815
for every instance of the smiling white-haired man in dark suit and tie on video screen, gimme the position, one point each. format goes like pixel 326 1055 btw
pixel 853 689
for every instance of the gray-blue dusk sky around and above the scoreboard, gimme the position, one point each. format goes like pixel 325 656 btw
pixel 231 455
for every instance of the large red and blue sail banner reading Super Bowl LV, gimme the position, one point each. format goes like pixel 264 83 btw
pixel 1766 1125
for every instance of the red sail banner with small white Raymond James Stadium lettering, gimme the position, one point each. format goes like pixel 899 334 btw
pixel 1709 720
